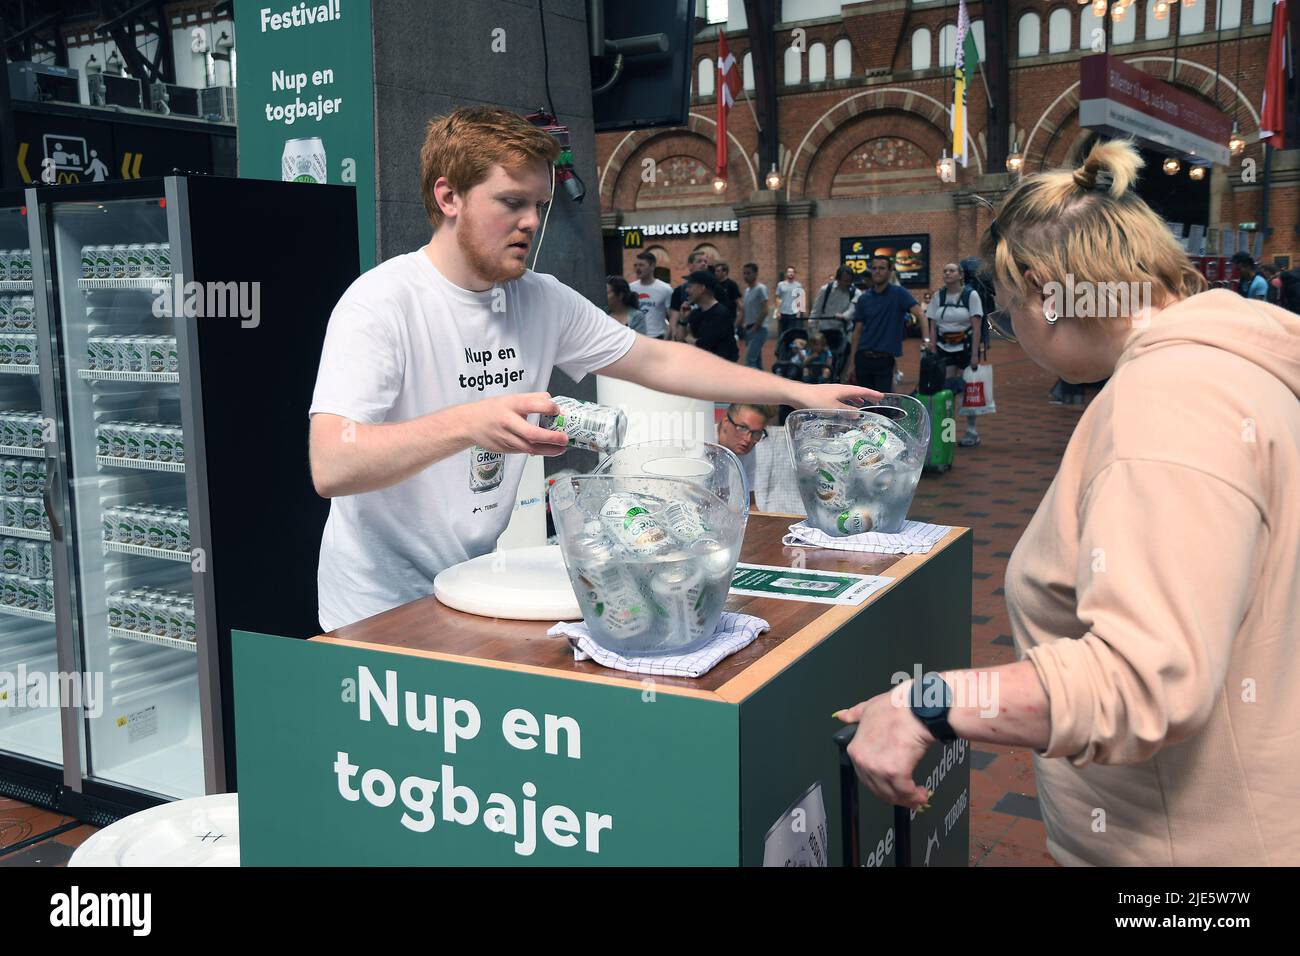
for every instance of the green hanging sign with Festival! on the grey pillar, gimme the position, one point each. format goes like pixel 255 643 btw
pixel 306 98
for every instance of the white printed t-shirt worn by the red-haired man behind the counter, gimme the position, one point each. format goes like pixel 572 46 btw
pixel 404 343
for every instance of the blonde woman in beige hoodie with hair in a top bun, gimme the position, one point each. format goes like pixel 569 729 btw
pixel 1156 594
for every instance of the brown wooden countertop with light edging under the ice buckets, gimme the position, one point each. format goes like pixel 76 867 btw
pixel 430 629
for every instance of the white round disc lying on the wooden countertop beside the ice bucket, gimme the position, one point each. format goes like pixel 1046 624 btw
pixel 519 585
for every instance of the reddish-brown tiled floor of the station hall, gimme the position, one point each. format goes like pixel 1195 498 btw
pixel 994 490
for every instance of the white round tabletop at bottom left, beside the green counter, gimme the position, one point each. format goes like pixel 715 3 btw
pixel 202 832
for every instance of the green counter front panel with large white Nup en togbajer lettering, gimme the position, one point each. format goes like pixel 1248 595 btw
pixel 365 758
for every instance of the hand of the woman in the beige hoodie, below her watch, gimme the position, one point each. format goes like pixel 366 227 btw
pixel 889 746
